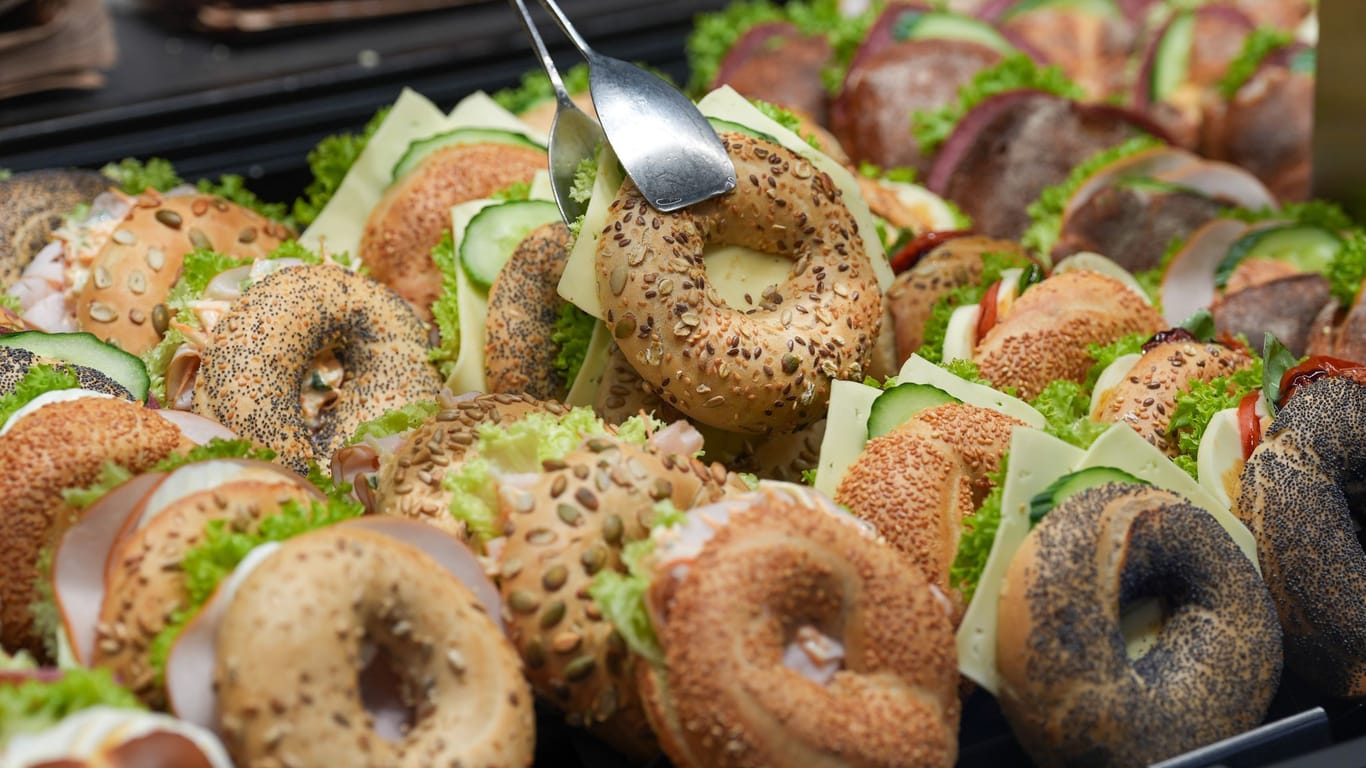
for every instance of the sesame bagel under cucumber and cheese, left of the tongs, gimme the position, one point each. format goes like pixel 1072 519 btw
pixel 409 221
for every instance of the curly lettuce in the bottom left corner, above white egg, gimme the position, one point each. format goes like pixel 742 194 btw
pixel 36 706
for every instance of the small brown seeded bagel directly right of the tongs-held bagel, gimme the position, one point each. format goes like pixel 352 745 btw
pixel 950 266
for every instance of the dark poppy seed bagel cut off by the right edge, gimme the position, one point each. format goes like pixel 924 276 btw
pixel 1300 491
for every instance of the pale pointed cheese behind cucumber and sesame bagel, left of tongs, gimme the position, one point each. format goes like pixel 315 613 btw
pixel 413 117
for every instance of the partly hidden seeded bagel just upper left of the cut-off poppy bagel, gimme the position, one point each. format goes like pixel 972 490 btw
pixel 1147 398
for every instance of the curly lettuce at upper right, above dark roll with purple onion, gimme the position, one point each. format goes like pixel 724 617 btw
pixel 1014 73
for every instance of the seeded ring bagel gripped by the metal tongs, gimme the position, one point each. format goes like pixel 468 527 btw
pixel 757 371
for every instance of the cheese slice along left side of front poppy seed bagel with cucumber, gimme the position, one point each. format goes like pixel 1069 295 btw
pixel 1036 461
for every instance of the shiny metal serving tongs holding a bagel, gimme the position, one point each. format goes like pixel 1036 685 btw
pixel 662 140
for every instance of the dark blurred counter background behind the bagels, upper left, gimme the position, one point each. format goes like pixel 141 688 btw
pixel 251 87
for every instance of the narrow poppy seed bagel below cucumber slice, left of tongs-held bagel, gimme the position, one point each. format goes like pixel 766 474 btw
pixel 524 304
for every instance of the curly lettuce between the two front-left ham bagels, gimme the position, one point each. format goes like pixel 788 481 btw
pixel 214 560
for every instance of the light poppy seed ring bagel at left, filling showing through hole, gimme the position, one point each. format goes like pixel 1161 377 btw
pixel 273 341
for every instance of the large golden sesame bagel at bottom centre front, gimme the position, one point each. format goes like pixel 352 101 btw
pixel 789 576
